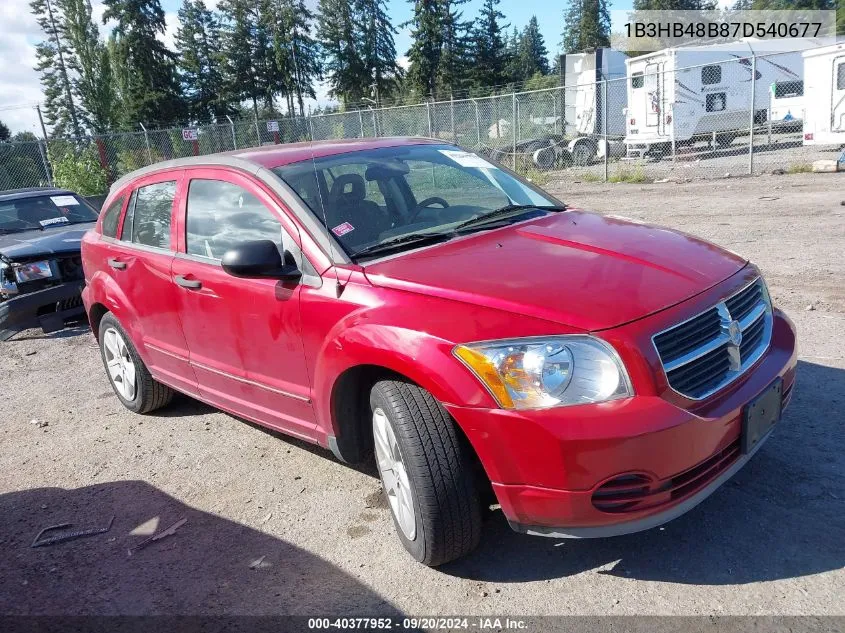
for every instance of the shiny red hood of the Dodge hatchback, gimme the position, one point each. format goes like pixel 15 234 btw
pixel 581 269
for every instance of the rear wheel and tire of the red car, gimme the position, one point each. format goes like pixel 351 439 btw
pixel 131 380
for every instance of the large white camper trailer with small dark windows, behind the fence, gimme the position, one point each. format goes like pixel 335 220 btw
pixel 684 94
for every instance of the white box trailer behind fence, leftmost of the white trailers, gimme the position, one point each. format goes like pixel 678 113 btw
pixel 588 118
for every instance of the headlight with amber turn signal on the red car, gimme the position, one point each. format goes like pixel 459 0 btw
pixel 537 373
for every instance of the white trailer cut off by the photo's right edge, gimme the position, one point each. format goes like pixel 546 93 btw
pixel 824 82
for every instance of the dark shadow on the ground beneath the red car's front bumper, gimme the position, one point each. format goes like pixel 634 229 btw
pixel 782 516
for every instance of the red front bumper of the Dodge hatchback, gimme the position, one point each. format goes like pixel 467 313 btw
pixel 546 466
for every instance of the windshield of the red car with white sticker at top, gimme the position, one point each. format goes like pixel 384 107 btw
pixel 375 196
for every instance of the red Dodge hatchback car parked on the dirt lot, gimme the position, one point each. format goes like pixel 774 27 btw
pixel 411 299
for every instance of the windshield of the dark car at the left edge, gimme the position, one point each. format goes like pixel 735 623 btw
pixel 43 212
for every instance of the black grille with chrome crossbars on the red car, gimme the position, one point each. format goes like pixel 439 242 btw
pixel 712 349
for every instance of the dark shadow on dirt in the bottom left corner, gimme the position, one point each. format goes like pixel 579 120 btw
pixel 210 566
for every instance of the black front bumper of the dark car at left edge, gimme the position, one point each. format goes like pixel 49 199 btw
pixel 47 309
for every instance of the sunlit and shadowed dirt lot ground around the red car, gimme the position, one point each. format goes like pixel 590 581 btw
pixel 276 527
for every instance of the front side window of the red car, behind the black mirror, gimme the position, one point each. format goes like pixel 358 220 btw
pixel 221 216
